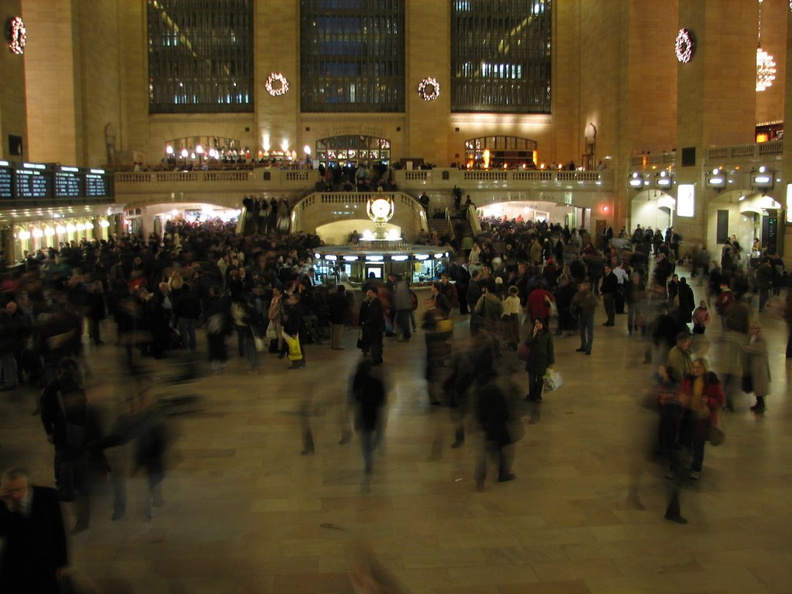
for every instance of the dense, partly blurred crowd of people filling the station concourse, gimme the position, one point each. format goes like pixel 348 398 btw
pixel 513 284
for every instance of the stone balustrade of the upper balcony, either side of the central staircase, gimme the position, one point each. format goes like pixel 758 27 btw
pixel 228 187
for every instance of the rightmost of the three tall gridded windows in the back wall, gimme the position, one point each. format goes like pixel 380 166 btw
pixel 500 56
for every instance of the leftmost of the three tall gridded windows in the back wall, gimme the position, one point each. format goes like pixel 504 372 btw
pixel 200 56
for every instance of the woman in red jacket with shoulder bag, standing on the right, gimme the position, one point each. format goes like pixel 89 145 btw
pixel 702 395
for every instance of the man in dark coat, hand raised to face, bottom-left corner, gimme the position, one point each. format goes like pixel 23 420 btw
pixel 35 553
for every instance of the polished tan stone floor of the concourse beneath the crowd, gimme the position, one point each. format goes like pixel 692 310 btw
pixel 246 513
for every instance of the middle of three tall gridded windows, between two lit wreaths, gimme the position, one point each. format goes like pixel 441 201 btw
pixel 352 55
